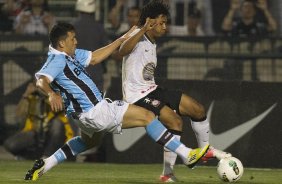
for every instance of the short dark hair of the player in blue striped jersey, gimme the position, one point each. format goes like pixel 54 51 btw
pixel 60 32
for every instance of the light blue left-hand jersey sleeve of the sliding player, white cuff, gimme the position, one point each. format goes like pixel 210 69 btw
pixel 54 65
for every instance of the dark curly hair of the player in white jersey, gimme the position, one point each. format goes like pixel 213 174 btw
pixel 152 10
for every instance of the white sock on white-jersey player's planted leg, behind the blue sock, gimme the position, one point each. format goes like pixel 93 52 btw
pixel 169 159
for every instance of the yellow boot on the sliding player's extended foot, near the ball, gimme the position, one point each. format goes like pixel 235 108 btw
pixel 195 155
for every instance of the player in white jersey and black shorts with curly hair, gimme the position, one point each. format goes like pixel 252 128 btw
pixel 139 87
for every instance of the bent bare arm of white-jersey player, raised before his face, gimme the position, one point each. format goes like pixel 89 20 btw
pixel 131 42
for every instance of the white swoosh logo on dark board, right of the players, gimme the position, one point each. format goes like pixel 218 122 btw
pixel 224 140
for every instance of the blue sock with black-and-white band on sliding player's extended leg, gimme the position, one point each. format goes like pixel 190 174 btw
pixel 157 131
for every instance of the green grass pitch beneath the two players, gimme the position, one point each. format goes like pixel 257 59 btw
pixel 85 173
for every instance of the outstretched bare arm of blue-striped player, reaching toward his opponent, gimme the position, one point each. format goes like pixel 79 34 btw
pixel 100 54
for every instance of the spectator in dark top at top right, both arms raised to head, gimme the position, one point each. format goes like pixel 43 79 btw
pixel 247 24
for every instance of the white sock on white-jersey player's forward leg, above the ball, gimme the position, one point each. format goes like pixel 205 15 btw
pixel 201 130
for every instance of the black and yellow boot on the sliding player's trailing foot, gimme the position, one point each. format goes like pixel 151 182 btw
pixel 36 171
